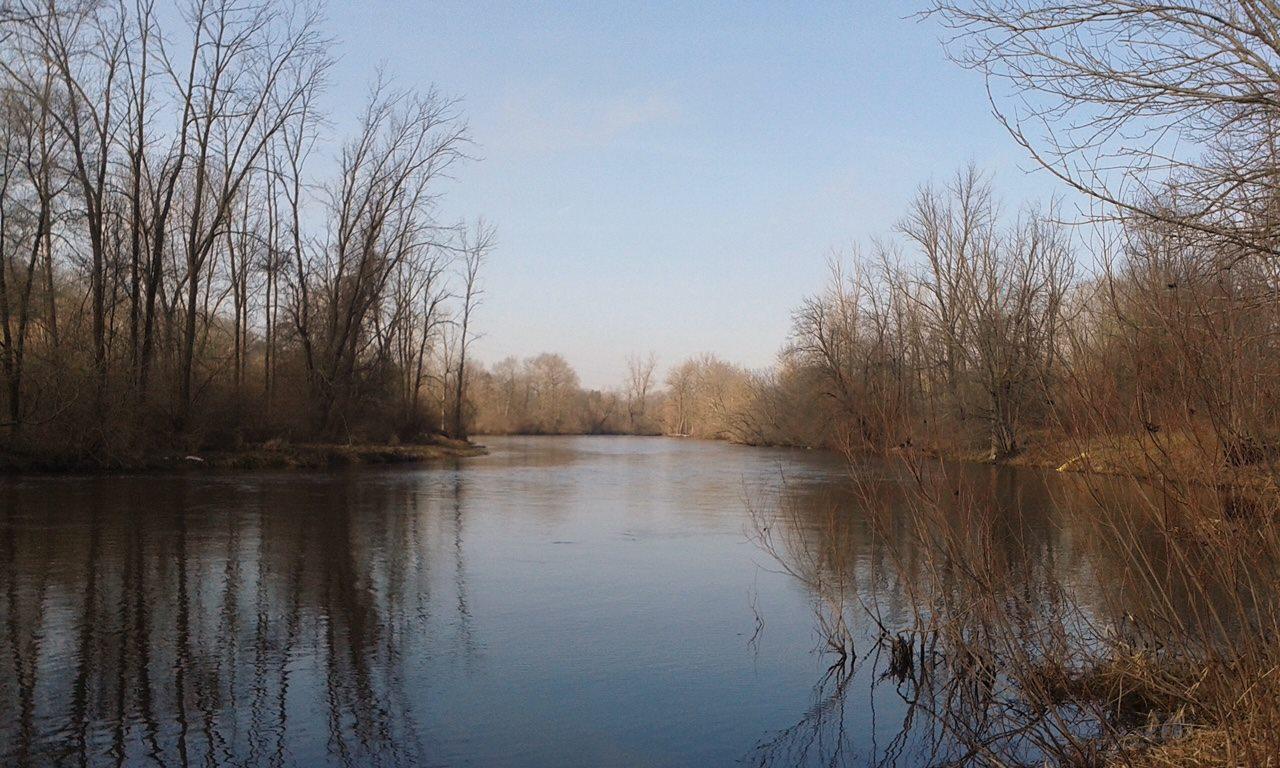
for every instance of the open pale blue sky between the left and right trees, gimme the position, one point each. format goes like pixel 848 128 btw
pixel 674 177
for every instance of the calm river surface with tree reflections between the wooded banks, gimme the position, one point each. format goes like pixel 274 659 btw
pixel 392 619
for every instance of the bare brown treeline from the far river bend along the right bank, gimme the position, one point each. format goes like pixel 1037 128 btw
pixel 977 333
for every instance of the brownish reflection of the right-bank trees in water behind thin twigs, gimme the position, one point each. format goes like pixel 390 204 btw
pixel 984 597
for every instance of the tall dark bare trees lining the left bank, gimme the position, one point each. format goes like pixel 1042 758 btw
pixel 189 258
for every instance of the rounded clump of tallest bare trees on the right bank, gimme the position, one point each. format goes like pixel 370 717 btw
pixel 957 330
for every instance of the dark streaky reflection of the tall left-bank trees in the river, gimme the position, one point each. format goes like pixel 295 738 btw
pixel 220 624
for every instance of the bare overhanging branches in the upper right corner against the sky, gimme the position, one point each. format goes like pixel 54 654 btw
pixel 1131 102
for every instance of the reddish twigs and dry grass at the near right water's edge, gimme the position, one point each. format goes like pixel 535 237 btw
pixel 1167 655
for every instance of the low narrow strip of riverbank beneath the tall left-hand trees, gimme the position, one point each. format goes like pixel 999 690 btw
pixel 273 455
